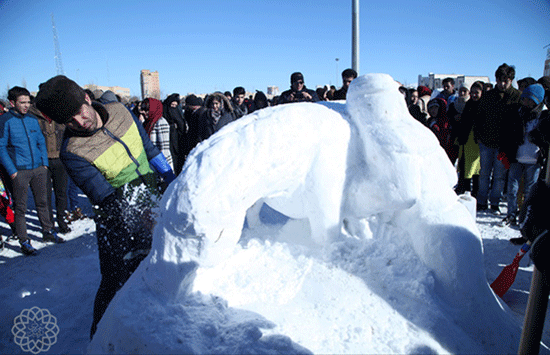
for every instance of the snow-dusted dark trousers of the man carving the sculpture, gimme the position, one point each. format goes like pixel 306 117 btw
pixel 114 242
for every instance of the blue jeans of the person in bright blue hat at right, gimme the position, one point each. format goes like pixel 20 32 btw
pixel 531 174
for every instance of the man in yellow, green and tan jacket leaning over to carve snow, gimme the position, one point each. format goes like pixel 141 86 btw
pixel 109 156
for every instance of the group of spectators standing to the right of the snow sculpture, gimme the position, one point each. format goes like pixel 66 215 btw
pixel 492 135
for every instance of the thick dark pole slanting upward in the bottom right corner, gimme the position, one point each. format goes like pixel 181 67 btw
pixel 535 313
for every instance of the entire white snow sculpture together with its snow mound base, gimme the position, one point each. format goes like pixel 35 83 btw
pixel 309 228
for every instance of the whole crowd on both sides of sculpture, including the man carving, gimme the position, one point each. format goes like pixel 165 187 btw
pixel 123 157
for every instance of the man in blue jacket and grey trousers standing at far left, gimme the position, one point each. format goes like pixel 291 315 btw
pixel 24 155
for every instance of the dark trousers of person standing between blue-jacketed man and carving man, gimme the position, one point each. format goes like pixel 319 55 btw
pixel 57 181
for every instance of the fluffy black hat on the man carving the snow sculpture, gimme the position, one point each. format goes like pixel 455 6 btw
pixel 60 98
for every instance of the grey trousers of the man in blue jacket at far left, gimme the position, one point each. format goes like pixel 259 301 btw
pixel 37 180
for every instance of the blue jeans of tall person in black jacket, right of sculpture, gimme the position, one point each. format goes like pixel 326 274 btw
pixel 490 165
